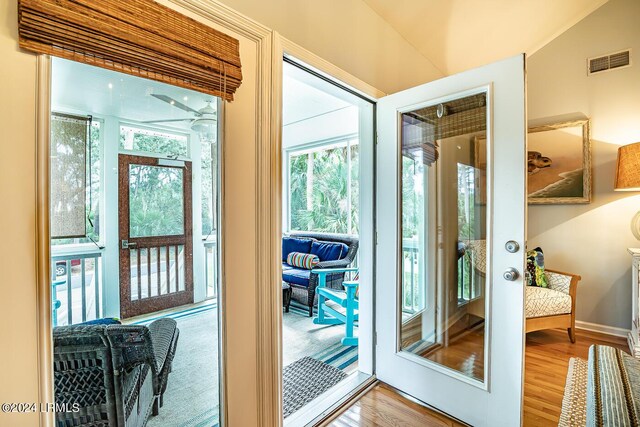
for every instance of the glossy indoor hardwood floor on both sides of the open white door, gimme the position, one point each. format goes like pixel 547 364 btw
pixel 546 362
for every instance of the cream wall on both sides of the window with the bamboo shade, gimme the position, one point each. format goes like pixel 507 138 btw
pixel 18 307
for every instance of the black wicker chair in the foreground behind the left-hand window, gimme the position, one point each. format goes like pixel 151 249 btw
pixel 116 374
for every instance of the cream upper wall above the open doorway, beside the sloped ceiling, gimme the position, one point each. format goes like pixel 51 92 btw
pixel 350 35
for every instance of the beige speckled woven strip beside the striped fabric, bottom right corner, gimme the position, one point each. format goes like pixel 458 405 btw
pixel 574 402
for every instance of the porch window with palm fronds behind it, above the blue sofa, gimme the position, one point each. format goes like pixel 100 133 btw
pixel 323 188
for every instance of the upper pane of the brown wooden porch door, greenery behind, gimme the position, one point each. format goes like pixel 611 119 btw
pixel 156 206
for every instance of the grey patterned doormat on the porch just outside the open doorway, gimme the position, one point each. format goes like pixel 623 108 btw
pixel 306 379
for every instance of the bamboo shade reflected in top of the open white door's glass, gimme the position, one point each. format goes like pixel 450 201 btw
pixel 421 129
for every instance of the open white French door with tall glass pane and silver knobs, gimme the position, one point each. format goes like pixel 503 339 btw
pixel 451 216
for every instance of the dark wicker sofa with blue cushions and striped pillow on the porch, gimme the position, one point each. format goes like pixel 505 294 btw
pixel 333 250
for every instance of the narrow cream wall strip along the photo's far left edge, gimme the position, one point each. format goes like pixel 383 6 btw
pixel 18 351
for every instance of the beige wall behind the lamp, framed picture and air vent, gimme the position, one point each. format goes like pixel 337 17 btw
pixel 591 240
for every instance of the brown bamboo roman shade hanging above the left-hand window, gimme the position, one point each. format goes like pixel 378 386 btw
pixel 137 37
